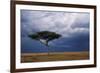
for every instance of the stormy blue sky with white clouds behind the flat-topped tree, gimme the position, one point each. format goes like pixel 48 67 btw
pixel 73 26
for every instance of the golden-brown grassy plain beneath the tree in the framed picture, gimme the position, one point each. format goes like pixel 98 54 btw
pixel 55 56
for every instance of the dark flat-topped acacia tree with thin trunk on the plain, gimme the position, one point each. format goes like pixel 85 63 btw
pixel 45 37
